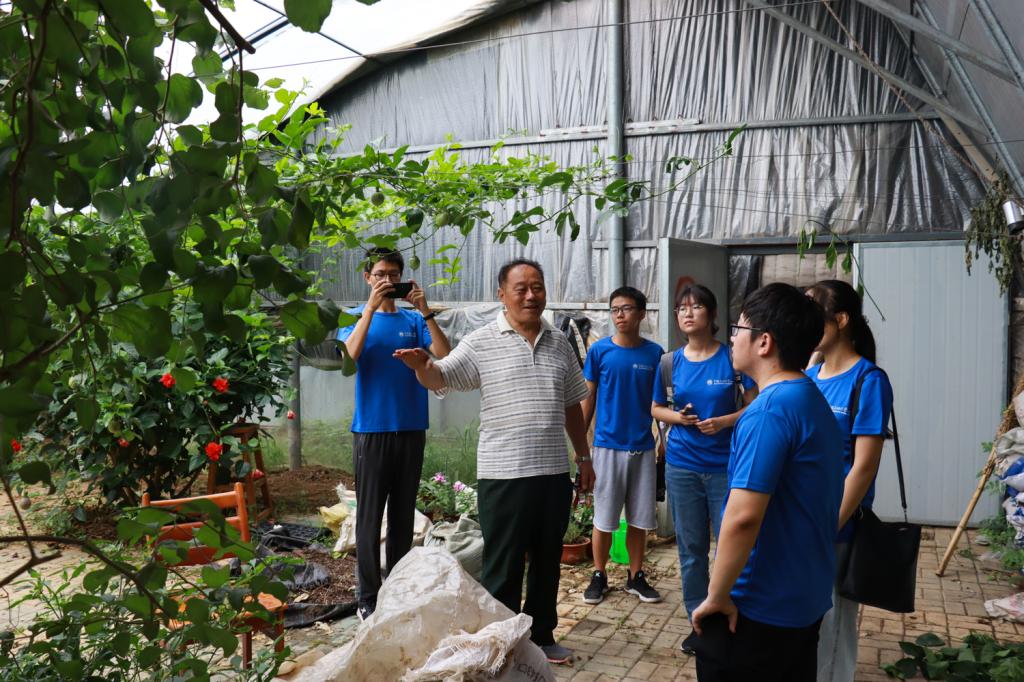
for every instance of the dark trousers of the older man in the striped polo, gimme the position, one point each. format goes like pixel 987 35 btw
pixel 522 517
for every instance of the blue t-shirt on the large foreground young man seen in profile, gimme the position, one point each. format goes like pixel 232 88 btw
pixel 788 445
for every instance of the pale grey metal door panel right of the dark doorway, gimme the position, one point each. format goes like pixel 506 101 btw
pixel 943 338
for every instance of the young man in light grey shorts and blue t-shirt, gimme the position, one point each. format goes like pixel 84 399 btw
pixel 620 373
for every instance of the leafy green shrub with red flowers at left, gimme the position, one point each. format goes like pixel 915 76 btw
pixel 160 422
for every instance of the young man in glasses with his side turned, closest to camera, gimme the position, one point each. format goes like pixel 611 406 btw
pixel 776 560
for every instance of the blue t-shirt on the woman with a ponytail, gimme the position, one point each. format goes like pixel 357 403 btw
pixel 872 419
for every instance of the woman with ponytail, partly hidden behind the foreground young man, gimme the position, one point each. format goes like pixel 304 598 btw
pixel 848 374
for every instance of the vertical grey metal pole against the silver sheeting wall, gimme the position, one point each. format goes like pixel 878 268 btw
pixel 617 140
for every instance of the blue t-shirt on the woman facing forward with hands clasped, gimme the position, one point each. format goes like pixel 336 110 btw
pixel 710 387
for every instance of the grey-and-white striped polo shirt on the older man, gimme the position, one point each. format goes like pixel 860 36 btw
pixel 525 393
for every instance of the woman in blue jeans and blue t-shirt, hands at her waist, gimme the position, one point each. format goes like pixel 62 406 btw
pixel 707 399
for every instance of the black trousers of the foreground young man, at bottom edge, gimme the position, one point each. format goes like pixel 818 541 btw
pixel 759 652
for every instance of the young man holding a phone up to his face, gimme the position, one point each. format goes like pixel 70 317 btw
pixel 391 420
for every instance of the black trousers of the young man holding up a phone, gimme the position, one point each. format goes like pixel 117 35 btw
pixel 388 471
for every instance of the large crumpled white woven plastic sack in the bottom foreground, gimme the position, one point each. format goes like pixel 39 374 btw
pixel 428 600
